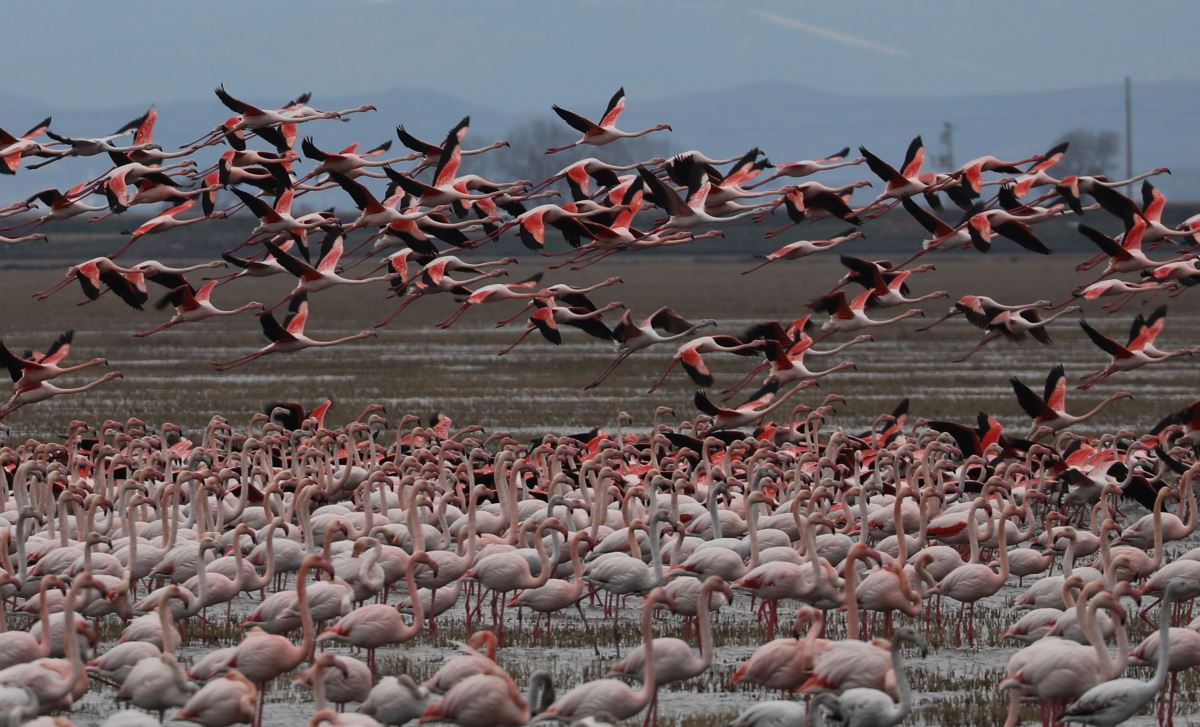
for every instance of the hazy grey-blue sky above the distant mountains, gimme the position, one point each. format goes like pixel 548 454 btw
pixel 525 53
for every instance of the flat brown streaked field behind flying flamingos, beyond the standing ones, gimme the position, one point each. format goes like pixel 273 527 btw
pixel 415 368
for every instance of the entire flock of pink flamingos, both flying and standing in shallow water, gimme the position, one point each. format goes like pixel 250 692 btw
pixel 129 527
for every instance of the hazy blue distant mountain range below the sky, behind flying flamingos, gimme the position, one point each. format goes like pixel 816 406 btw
pixel 789 122
